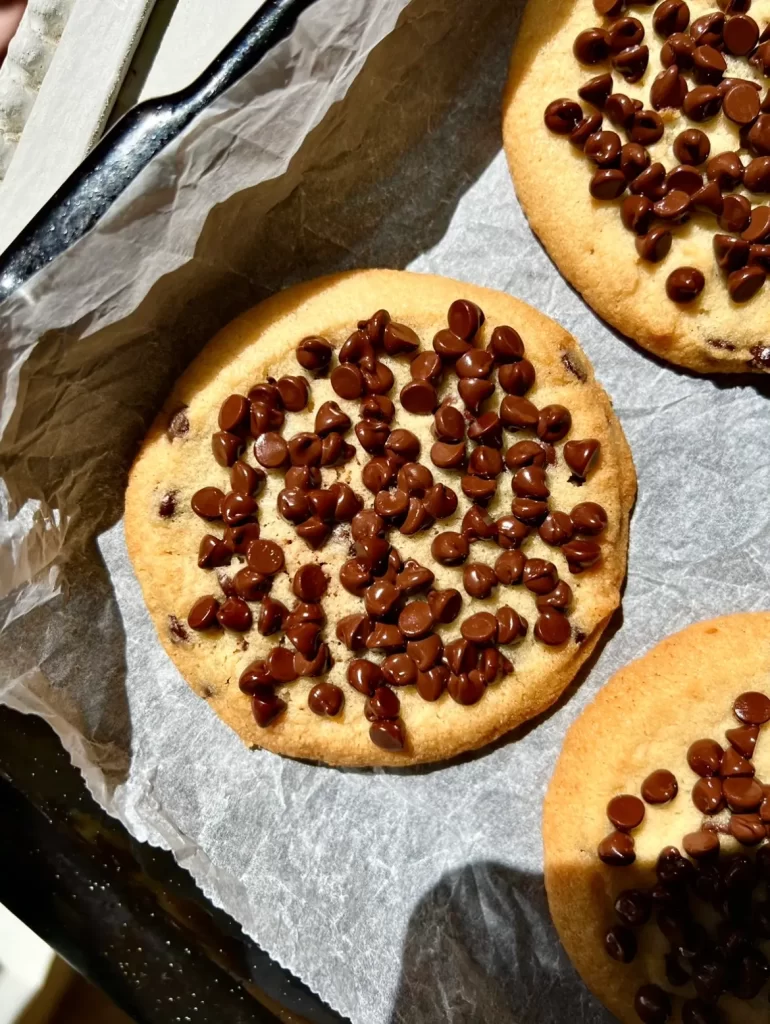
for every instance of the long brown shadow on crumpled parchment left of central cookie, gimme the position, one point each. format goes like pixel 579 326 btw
pixel 375 185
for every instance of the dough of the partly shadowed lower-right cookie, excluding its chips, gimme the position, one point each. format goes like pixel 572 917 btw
pixel 643 721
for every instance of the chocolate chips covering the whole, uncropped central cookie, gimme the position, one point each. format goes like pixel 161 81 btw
pixel 396 622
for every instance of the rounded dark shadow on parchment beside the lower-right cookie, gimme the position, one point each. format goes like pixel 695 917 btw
pixel 481 949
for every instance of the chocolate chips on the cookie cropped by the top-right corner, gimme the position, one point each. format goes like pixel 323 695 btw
pixel 661 199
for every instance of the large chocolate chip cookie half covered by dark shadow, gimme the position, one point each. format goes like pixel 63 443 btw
pixel 647 720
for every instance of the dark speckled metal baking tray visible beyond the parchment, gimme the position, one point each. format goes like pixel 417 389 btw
pixel 124 914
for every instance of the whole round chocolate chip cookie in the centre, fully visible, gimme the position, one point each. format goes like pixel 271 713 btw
pixel 438 712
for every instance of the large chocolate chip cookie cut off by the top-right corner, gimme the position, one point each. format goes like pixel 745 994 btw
pixel 724 328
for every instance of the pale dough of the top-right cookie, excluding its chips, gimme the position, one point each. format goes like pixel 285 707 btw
pixel 585 237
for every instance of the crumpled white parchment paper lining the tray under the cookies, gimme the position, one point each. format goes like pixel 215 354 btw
pixel 399 897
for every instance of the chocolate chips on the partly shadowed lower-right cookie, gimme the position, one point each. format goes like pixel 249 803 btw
pixel 729 893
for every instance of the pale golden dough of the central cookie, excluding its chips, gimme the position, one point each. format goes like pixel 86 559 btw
pixel 262 344
